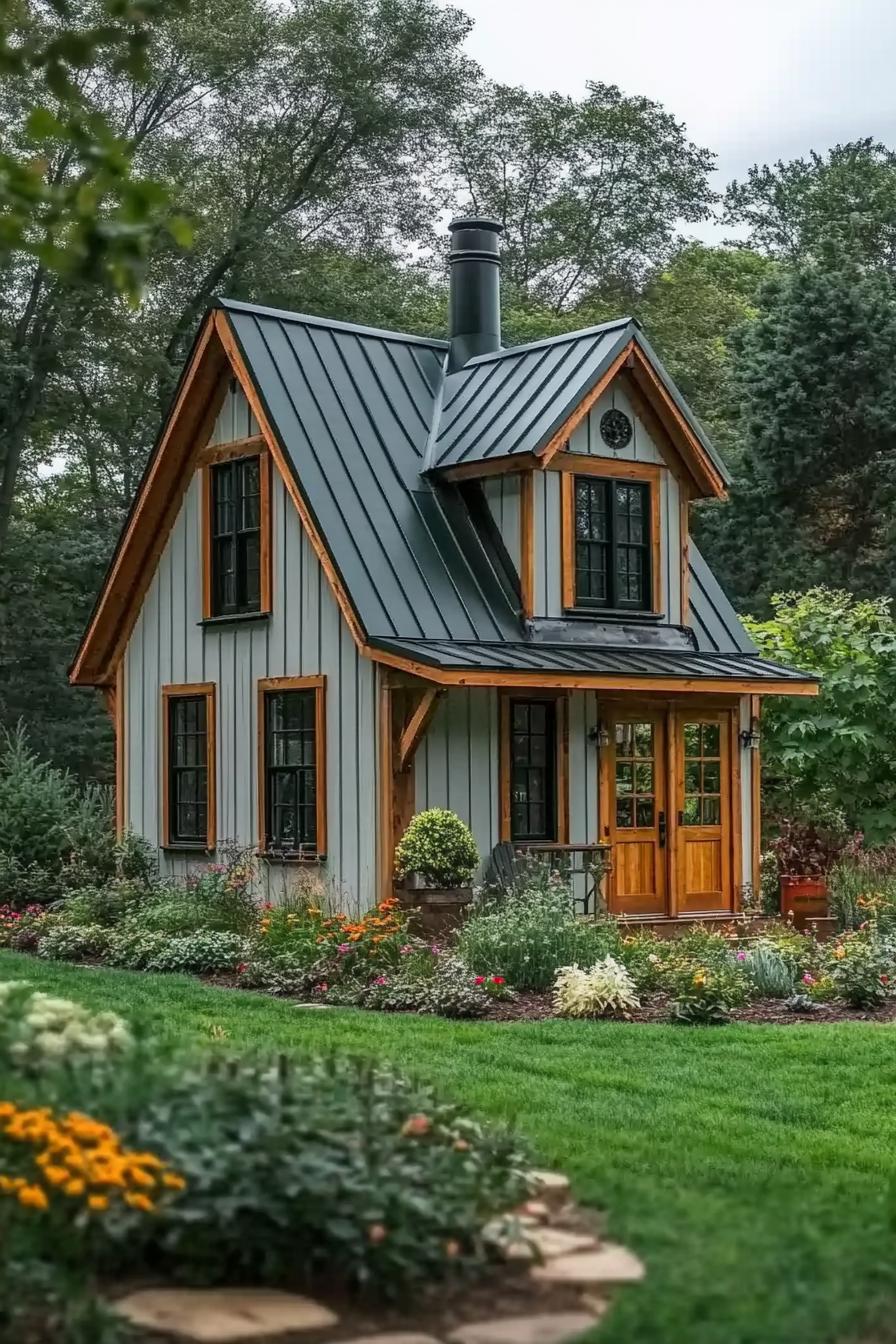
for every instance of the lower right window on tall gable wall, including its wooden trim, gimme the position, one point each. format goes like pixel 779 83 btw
pixel 292 778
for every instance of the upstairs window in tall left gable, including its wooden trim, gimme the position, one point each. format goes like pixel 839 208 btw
pixel 238 537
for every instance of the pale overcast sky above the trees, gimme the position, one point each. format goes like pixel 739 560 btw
pixel 753 80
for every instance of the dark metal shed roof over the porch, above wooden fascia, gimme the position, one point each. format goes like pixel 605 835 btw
pixel 592 662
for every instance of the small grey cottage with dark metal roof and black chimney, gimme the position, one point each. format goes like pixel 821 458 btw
pixel 369 573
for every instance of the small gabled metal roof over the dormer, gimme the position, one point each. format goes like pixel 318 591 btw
pixel 518 401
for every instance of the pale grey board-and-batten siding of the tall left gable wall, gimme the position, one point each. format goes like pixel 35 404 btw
pixel 306 635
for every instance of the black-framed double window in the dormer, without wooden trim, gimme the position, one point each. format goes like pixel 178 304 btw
pixel 613 544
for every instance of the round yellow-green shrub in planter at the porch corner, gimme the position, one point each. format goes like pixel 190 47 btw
pixel 437 858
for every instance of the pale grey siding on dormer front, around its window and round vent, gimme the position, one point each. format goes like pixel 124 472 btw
pixel 586 440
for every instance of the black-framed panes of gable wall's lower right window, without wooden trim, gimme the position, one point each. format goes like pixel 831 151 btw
pixel 291 769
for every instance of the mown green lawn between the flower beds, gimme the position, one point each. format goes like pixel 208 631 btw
pixel 752 1167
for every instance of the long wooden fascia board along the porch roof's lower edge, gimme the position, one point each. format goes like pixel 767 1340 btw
pixel 582 682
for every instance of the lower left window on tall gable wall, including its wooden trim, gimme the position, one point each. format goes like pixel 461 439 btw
pixel 189 768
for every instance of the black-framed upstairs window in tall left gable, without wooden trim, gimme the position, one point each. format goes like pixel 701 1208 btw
pixel 236 541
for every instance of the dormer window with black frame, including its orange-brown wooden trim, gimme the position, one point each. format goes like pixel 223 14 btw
pixel 611 537
